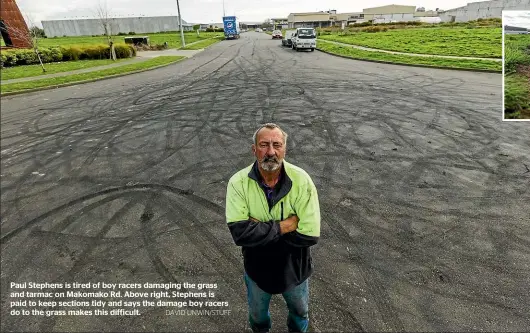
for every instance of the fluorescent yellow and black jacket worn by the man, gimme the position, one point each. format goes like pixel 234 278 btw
pixel 275 262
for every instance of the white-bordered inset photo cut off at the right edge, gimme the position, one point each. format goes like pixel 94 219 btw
pixel 516 64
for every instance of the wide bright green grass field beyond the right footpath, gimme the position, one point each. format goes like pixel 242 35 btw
pixel 485 42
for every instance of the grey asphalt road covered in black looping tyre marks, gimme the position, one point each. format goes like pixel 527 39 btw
pixel 424 190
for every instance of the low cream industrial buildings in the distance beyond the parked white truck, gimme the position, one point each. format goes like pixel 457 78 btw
pixel 382 14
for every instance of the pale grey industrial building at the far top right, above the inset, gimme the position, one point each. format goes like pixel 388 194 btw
pixel 483 9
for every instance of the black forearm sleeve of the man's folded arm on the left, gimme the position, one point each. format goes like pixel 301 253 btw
pixel 250 234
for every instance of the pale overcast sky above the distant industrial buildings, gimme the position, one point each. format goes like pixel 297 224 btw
pixel 208 11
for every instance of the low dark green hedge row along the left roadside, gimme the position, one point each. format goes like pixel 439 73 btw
pixel 20 57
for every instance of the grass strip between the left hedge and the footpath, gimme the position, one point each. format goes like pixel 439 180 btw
pixel 18 72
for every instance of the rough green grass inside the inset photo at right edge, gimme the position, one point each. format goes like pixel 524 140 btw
pixel 517 76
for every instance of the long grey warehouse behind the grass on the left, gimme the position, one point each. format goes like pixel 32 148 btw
pixel 89 27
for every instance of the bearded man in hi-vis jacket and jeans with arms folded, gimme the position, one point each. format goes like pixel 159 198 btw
pixel 273 213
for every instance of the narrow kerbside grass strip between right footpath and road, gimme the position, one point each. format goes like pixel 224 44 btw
pixel 410 60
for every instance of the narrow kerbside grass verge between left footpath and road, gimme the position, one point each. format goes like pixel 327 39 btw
pixel 162 60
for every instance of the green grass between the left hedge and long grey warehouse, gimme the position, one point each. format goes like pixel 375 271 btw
pixel 173 39
